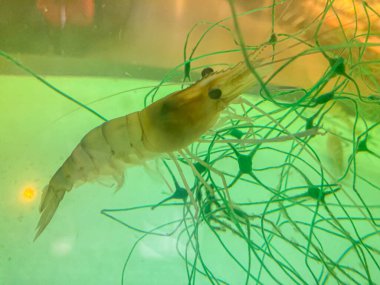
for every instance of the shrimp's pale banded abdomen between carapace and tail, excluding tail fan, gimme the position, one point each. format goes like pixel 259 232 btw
pixel 106 150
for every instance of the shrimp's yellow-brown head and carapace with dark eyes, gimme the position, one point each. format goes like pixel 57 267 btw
pixel 181 118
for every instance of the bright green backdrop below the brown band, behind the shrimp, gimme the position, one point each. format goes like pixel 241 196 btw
pixel 81 246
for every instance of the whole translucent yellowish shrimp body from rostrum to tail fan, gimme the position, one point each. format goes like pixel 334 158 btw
pixel 165 126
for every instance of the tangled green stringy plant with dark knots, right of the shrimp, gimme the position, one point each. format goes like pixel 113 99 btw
pixel 279 186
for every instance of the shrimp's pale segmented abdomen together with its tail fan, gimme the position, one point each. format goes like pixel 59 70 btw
pixel 105 151
